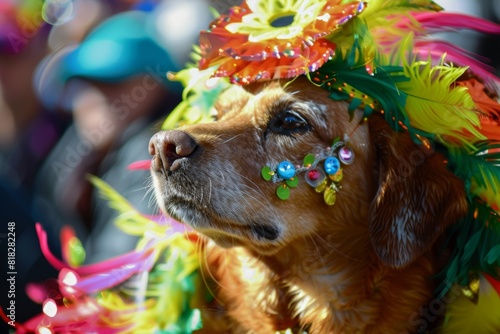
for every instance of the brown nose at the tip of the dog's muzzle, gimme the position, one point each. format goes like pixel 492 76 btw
pixel 168 148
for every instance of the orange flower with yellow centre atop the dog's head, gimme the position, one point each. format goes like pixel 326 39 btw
pixel 263 40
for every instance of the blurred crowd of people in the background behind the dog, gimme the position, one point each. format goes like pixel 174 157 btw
pixel 82 88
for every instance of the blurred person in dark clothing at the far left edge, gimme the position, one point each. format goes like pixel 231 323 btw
pixel 27 134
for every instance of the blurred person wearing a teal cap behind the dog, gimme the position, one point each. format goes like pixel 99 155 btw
pixel 115 85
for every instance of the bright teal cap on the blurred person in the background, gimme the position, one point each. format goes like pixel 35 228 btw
pixel 122 46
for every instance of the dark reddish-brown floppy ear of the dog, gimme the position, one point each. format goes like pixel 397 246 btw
pixel 417 198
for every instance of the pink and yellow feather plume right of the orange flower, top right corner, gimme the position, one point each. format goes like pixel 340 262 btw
pixel 389 22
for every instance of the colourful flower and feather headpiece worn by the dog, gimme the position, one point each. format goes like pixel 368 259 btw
pixel 378 56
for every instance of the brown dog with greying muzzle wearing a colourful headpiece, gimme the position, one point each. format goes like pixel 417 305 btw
pixel 363 265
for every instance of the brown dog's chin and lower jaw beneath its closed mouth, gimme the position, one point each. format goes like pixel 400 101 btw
pixel 265 237
